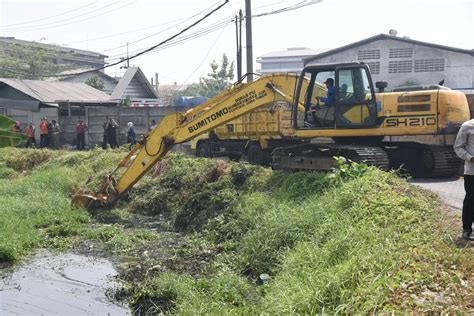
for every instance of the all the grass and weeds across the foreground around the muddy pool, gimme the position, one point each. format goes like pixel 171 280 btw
pixel 209 236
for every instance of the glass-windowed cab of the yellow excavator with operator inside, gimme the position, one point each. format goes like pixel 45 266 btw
pixel 347 101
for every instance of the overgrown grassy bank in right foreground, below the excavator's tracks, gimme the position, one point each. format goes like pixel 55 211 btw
pixel 350 241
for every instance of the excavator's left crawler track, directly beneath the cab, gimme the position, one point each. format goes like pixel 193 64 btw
pixel 320 156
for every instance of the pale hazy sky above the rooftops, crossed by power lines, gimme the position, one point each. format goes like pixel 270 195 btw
pixel 106 26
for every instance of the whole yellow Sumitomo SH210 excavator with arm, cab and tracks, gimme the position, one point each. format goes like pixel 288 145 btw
pixel 355 119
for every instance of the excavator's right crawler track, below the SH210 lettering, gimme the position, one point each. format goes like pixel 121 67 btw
pixel 427 161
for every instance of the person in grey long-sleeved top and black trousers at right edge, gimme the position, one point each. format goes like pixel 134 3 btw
pixel 464 148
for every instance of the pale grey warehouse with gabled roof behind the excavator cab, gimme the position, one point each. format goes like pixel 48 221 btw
pixel 398 60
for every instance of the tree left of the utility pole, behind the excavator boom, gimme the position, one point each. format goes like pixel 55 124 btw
pixel 214 83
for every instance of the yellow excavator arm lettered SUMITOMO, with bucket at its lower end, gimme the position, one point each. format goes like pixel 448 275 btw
pixel 177 128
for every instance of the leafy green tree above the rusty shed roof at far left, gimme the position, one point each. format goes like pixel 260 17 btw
pixel 31 62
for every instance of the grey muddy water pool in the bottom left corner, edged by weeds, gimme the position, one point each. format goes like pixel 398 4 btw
pixel 64 284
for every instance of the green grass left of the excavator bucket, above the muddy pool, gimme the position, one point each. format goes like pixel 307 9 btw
pixel 35 202
